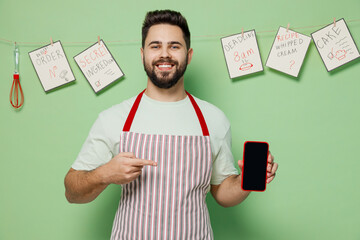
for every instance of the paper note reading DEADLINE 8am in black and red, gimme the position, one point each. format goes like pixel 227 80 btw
pixel 242 54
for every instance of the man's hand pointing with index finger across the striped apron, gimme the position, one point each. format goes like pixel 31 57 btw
pixel 123 168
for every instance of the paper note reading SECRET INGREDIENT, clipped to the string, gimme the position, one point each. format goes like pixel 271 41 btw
pixel 98 66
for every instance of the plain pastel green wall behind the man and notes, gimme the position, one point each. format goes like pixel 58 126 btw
pixel 311 122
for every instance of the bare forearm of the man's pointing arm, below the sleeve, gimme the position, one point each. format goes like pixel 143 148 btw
pixel 83 186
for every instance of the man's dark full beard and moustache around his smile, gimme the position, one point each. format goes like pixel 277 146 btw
pixel 165 80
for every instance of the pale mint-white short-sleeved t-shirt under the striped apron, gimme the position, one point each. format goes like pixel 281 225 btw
pixel 156 117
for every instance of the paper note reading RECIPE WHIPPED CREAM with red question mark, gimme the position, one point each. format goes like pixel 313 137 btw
pixel 288 51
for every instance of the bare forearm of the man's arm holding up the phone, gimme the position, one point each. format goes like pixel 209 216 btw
pixel 229 193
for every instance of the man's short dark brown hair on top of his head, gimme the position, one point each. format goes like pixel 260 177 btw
pixel 165 17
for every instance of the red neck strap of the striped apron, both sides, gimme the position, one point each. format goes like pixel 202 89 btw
pixel 135 106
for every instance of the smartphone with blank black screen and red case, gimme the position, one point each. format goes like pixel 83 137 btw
pixel 254 168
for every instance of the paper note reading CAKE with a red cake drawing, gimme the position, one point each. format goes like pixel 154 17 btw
pixel 335 45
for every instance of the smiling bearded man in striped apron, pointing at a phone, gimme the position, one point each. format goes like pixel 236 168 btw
pixel 166 148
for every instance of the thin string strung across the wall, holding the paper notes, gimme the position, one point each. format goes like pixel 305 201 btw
pixel 138 40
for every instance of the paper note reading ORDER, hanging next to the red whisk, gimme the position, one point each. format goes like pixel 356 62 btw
pixel 52 66
